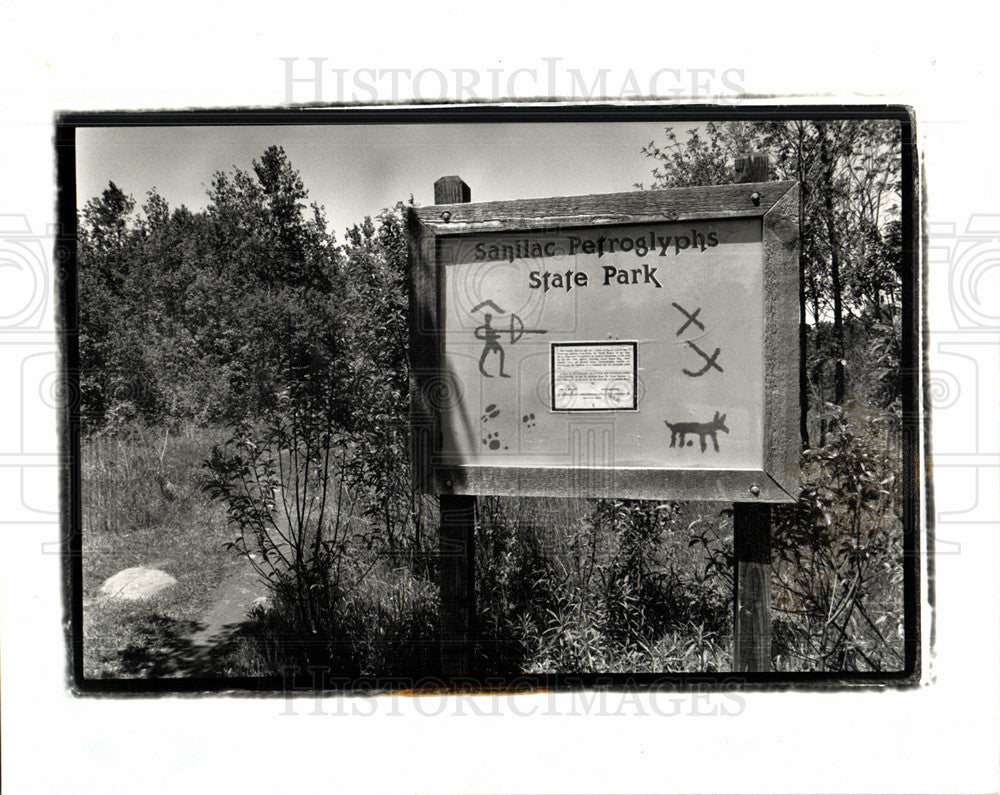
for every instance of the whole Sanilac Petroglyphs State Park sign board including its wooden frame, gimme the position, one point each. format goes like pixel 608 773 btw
pixel 633 345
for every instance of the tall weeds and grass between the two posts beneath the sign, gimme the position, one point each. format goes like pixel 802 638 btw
pixel 597 587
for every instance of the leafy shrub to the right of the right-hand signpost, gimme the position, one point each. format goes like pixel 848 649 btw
pixel 838 551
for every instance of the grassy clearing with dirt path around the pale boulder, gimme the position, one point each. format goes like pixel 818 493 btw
pixel 143 506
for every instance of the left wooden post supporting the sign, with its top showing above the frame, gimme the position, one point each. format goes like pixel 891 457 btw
pixel 457 543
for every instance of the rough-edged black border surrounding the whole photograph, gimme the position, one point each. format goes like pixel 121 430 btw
pixel 915 426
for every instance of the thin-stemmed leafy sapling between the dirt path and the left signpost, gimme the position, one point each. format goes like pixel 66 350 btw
pixel 284 478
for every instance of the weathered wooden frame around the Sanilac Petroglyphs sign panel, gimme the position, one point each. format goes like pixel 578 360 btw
pixel 776 204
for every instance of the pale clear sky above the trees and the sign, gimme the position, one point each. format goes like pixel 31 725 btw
pixel 356 171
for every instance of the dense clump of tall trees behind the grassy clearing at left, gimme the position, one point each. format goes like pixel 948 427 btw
pixel 187 314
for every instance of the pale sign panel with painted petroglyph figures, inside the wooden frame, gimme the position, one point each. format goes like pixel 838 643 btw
pixel 656 331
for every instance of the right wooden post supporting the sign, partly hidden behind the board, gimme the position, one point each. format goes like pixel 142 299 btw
pixel 752 534
